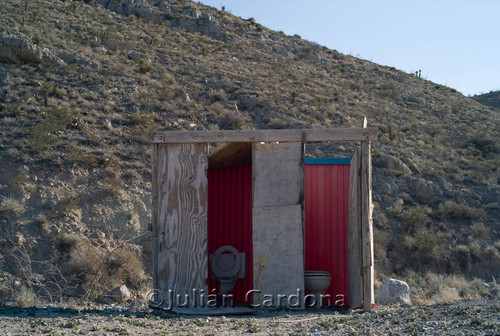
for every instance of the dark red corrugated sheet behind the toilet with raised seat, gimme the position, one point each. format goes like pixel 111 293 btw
pixel 230 219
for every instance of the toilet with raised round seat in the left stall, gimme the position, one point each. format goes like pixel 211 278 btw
pixel 227 265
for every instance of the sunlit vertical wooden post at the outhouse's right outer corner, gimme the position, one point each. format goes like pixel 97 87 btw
pixel 367 223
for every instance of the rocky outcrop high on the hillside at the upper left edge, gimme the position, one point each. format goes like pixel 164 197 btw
pixel 18 50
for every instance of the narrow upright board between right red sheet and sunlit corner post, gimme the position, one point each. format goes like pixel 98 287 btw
pixel 354 234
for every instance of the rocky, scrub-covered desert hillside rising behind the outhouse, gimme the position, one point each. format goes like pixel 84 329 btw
pixel 82 84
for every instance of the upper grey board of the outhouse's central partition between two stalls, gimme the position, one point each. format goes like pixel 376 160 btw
pixel 278 174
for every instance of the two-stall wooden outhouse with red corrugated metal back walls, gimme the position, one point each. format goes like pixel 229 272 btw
pixel 284 214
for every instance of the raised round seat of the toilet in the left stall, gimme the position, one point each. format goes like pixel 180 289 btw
pixel 226 262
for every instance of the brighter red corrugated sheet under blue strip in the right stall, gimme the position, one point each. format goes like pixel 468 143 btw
pixel 326 201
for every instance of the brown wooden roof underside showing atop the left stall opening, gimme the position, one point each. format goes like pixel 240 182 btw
pixel 234 153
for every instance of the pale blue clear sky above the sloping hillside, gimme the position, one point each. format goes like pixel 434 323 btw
pixel 453 42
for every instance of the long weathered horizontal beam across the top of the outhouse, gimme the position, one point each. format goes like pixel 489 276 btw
pixel 288 135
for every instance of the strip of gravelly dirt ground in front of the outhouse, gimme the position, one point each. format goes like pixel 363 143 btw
pixel 460 318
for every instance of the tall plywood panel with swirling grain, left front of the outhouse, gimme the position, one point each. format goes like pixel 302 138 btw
pixel 181 185
